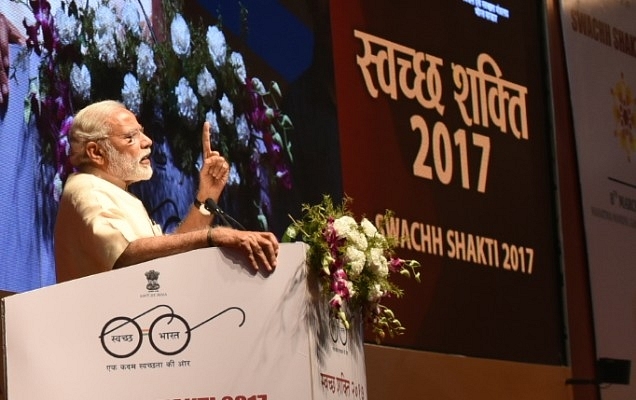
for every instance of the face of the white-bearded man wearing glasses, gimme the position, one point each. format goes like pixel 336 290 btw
pixel 128 150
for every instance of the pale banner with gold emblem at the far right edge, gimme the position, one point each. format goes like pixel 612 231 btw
pixel 599 42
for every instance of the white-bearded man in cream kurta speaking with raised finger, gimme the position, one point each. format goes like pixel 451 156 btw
pixel 101 226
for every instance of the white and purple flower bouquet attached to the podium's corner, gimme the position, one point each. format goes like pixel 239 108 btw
pixel 355 263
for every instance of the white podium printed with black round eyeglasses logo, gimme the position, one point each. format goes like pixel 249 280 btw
pixel 199 325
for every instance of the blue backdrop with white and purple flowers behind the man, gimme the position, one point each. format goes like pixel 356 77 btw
pixel 174 79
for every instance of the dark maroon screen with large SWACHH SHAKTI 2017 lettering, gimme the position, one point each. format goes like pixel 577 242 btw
pixel 444 119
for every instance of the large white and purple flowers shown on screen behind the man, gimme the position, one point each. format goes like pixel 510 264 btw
pixel 175 75
